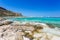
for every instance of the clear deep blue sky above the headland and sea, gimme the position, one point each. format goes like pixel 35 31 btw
pixel 35 8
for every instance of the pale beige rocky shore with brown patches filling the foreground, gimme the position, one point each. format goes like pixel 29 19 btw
pixel 14 30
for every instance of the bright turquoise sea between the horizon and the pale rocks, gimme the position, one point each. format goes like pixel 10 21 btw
pixel 55 21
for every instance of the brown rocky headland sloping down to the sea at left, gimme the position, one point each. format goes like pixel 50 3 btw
pixel 5 12
